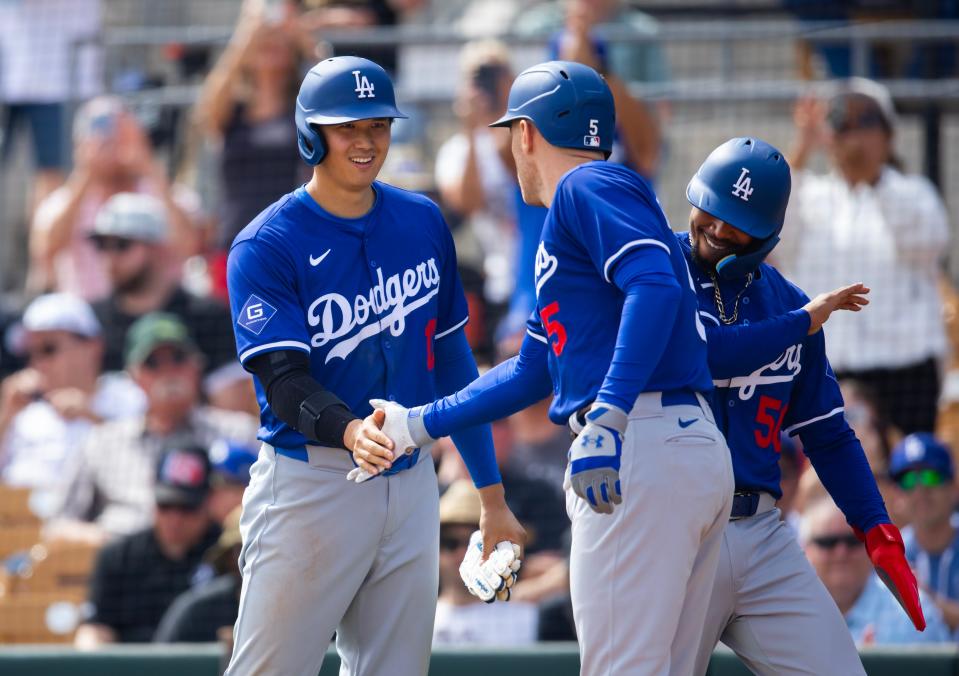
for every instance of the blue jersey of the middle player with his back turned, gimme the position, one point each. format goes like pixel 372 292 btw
pixel 601 212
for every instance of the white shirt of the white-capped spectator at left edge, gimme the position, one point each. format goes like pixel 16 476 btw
pixel 39 442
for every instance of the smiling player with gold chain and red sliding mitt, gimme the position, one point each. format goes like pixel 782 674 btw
pixel 768 363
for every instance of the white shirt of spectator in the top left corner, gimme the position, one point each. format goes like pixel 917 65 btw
pixel 38 63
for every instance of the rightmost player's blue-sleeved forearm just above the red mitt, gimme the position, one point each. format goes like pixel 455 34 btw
pixel 839 460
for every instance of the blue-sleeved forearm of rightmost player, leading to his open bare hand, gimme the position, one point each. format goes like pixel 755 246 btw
pixel 741 349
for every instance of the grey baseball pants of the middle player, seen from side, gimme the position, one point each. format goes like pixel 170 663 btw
pixel 640 578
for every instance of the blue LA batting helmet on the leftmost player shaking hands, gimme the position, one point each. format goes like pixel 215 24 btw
pixel 337 90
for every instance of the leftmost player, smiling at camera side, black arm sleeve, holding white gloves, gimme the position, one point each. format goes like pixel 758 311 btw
pixel 344 290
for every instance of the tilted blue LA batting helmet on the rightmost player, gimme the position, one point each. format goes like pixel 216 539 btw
pixel 745 182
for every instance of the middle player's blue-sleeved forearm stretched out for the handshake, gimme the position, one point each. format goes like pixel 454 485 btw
pixel 503 390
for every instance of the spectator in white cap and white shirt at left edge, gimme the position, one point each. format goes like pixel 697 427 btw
pixel 47 409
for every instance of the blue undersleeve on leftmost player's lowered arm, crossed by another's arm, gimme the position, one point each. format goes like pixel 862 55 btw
pixel 456 368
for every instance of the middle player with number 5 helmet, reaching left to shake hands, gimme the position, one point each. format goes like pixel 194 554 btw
pixel 616 334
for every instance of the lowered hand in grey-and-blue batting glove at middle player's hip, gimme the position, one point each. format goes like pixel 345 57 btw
pixel 594 458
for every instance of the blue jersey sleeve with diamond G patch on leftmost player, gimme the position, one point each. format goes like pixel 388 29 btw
pixel 267 314
